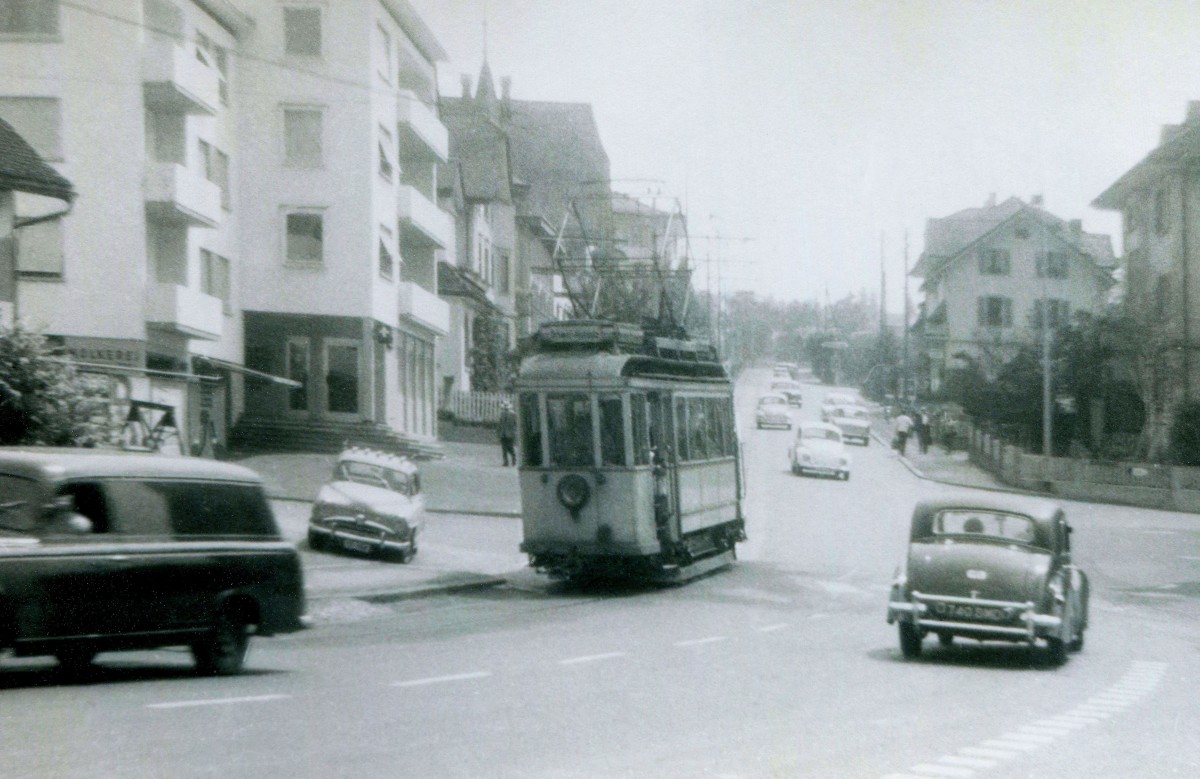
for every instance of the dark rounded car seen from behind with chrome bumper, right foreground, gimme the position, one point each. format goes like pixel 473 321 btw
pixel 991 568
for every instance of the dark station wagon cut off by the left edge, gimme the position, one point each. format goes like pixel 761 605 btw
pixel 104 552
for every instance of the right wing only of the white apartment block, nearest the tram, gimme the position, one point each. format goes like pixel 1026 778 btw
pixel 343 233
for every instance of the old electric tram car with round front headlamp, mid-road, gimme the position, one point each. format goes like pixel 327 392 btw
pixel 629 463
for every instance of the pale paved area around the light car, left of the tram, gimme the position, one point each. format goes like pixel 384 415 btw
pixel 471 538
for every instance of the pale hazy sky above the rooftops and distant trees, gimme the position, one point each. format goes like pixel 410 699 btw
pixel 811 141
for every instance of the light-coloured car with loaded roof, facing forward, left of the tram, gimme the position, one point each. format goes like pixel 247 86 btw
pixel 373 506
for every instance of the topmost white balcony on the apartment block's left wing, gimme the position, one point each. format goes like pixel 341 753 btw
pixel 176 81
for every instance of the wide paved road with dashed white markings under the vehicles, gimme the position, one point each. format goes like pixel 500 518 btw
pixel 779 667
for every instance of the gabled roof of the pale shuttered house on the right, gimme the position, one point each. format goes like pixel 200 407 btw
pixel 951 237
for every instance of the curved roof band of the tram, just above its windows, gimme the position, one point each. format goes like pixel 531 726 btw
pixel 568 367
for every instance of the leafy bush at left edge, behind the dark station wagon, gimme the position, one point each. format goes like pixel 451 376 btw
pixel 43 399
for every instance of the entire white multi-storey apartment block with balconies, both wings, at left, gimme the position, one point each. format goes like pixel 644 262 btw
pixel 256 236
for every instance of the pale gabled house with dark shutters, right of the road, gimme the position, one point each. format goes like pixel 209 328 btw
pixel 994 277
